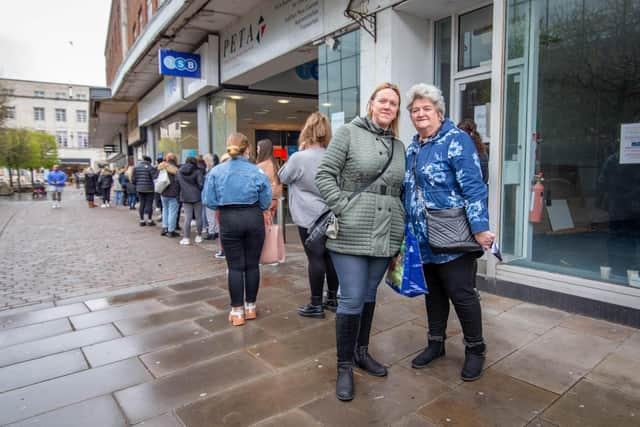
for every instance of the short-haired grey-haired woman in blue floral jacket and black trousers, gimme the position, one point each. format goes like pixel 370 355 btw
pixel 443 172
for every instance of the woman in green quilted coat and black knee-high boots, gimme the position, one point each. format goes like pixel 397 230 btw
pixel 370 226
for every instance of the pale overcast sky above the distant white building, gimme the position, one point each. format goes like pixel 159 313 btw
pixel 54 40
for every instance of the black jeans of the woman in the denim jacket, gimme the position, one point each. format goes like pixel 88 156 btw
pixel 242 236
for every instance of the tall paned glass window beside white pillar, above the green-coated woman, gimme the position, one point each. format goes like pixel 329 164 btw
pixel 339 76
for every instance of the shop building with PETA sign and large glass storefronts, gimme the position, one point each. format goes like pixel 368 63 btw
pixel 550 83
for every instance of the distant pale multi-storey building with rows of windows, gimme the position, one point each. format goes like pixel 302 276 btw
pixel 61 110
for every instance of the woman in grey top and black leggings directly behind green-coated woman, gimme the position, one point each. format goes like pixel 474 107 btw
pixel 306 205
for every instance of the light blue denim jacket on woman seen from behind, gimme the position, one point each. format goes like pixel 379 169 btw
pixel 236 182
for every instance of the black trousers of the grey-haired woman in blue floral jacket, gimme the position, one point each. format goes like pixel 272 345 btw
pixel 454 280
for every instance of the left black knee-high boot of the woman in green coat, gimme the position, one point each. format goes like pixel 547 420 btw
pixel 347 326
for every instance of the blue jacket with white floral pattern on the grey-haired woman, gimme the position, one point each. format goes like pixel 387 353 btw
pixel 448 171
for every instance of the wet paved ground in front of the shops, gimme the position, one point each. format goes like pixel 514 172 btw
pixel 106 323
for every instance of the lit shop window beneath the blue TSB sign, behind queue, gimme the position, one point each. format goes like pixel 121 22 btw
pixel 178 134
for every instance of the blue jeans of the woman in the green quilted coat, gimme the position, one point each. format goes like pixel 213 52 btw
pixel 359 277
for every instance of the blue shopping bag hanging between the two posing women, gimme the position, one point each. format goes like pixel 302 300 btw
pixel 405 274
